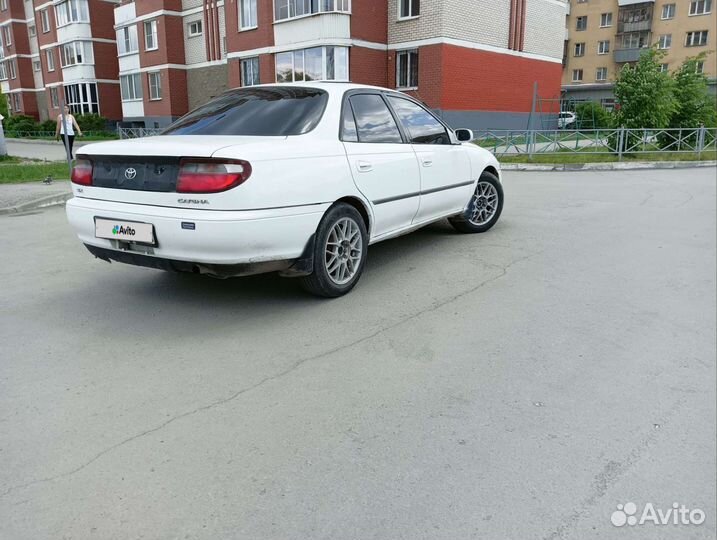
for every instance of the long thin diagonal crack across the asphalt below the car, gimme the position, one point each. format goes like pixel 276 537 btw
pixel 293 367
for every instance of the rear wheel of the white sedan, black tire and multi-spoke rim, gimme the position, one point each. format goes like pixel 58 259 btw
pixel 340 247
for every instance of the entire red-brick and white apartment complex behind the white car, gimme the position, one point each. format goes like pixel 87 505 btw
pixel 147 62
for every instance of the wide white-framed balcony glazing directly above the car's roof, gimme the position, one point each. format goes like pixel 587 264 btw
pixel 315 64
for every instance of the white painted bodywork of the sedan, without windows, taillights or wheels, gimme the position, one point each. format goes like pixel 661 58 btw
pixel 267 223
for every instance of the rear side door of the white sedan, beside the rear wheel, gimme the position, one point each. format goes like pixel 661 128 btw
pixel 384 167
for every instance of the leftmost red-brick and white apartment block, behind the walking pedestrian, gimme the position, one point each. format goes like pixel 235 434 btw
pixel 59 51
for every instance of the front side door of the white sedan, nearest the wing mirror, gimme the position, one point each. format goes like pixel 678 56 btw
pixel 445 169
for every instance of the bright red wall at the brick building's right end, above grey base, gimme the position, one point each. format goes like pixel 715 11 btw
pixel 481 80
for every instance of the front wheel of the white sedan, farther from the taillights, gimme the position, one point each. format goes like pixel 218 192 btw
pixel 484 208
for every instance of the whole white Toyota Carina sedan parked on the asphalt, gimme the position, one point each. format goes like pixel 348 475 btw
pixel 298 179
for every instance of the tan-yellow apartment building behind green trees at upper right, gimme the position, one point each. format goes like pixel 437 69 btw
pixel 603 35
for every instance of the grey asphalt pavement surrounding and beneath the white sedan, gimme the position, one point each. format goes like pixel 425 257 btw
pixel 518 384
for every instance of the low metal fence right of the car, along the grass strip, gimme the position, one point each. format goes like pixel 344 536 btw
pixel 619 142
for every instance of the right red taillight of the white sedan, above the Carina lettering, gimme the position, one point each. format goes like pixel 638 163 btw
pixel 211 176
